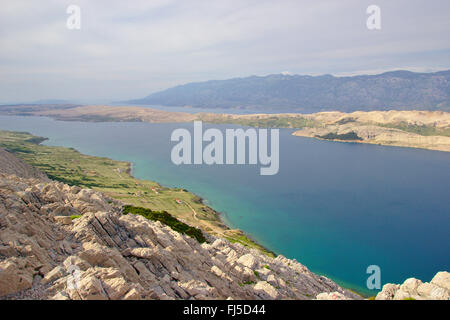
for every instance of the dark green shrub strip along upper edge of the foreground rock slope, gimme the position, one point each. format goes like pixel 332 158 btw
pixel 167 219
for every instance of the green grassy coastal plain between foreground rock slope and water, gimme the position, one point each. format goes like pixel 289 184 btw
pixel 113 178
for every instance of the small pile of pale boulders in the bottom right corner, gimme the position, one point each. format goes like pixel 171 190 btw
pixel 413 289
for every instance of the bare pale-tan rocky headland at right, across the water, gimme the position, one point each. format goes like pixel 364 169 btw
pixel 426 129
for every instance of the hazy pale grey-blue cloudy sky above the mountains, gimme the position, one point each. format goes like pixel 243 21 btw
pixel 128 49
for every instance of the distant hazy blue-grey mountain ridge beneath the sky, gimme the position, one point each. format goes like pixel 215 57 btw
pixel 398 90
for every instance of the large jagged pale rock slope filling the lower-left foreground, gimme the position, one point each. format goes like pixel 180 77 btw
pixel 48 252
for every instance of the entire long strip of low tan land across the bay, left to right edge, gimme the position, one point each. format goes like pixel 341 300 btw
pixel 428 130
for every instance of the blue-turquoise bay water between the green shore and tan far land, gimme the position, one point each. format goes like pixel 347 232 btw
pixel 335 207
